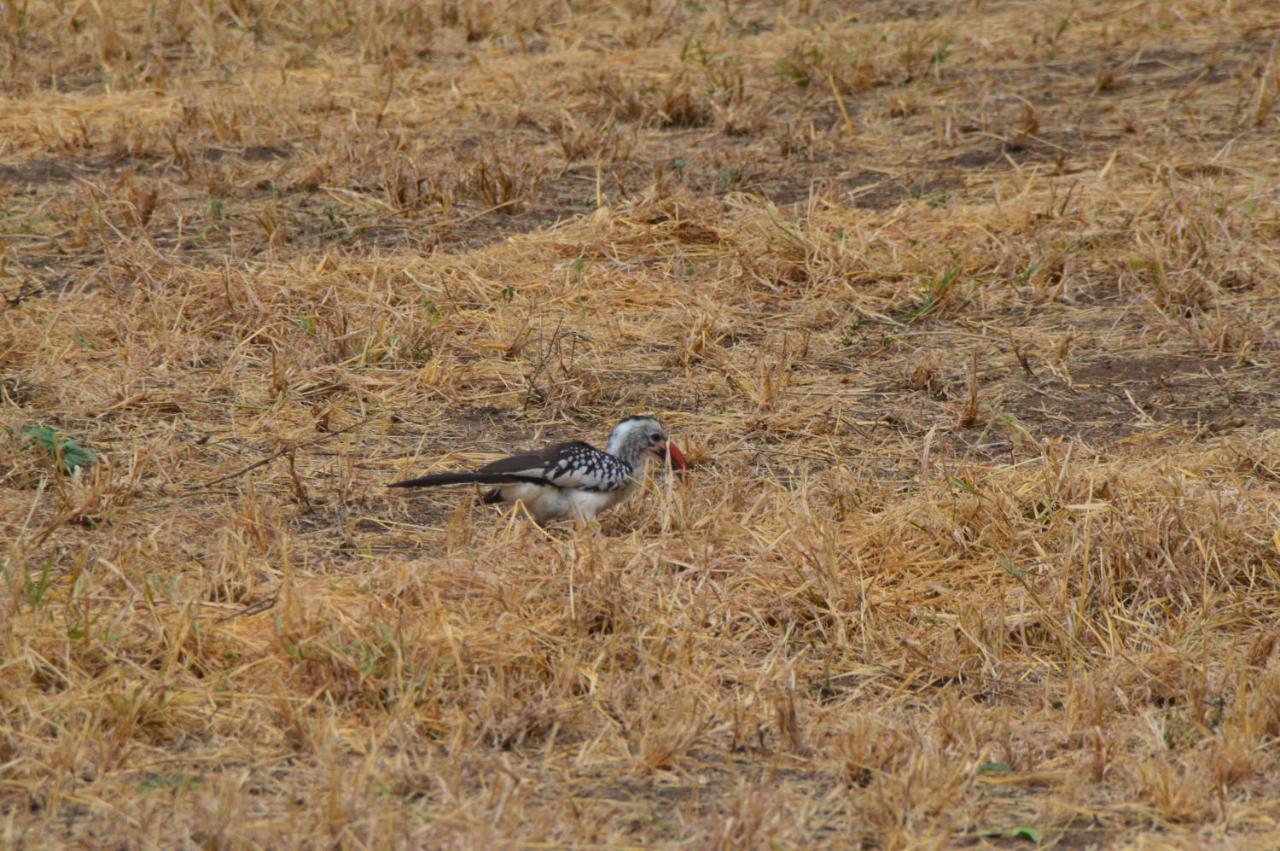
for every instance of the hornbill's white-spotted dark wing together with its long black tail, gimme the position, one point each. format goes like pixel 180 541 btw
pixel 577 466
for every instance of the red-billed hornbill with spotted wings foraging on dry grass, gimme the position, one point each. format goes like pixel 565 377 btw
pixel 570 481
